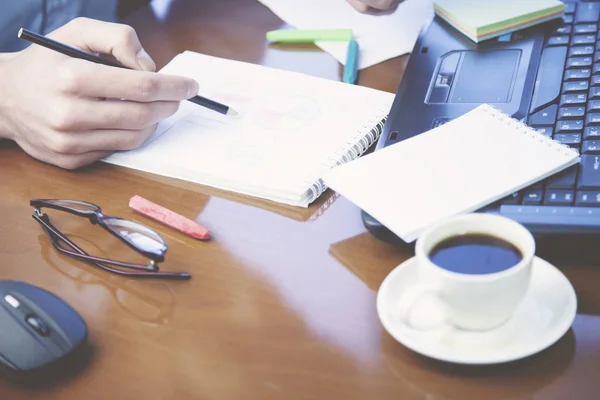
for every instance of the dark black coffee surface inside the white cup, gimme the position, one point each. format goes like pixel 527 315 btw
pixel 475 254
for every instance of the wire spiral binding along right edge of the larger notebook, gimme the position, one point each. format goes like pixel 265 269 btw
pixel 351 150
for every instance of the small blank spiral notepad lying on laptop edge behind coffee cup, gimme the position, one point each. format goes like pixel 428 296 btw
pixel 461 166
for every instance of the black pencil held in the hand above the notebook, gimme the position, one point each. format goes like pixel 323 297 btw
pixel 76 53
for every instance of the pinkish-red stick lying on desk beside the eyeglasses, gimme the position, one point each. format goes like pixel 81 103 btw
pixel 168 217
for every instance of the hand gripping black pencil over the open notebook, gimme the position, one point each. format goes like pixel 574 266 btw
pixel 72 112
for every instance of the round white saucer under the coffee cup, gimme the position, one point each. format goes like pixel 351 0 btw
pixel 545 315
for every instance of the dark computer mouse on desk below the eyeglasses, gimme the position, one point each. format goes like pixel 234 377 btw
pixel 38 331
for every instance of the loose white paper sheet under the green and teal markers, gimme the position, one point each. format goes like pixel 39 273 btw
pixel 380 37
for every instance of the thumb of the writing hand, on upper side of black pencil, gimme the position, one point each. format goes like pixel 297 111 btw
pixel 118 40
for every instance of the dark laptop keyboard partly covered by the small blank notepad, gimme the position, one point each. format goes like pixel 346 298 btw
pixel 569 72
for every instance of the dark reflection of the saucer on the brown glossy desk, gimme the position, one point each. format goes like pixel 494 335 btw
pixel 434 380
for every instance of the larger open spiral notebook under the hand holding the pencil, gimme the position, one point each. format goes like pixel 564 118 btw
pixel 290 129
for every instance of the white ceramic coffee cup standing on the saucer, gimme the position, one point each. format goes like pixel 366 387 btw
pixel 474 302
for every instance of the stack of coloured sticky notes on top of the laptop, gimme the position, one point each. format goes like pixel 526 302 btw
pixel 485 19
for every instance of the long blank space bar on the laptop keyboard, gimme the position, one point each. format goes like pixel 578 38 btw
pixel 549 77
